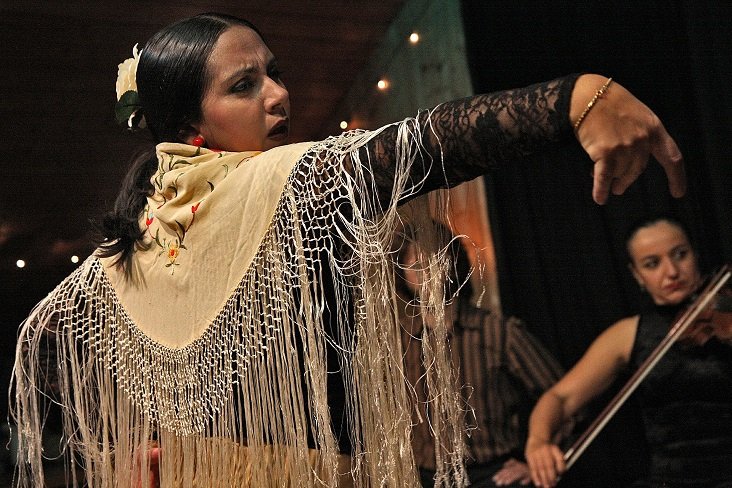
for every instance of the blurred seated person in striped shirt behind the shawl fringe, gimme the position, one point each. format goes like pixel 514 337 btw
pixel 502 367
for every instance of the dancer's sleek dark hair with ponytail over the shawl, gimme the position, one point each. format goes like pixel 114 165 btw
pixel 171 81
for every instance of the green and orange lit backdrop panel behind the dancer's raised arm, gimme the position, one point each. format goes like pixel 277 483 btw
pixel 420 75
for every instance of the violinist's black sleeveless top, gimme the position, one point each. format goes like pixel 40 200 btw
pixel 687 407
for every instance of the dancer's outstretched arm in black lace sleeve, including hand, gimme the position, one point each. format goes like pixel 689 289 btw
pixel 469 137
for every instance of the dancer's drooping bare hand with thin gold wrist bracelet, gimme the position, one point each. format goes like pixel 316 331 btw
pixel 620 134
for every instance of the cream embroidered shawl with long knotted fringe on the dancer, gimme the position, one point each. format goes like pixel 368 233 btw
pixel 214 346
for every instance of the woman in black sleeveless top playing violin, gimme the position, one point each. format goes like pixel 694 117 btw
pixel 686 399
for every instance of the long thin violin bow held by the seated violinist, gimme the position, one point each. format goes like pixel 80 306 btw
pixel 678 329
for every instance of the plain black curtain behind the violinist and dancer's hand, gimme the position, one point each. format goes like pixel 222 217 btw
pixel 560 256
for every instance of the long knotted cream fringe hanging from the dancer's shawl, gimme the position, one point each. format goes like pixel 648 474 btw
pixel 245 404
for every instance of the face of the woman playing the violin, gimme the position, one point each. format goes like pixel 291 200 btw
pixel 664 262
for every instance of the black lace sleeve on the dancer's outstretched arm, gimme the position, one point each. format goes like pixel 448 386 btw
pixel 474 135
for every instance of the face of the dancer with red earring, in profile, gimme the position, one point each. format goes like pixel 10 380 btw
pixel 246 106
